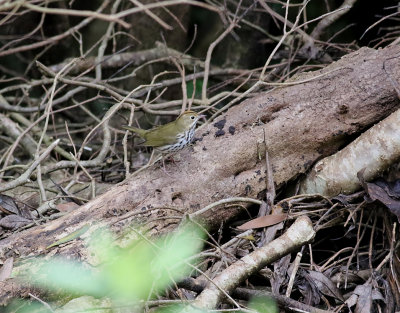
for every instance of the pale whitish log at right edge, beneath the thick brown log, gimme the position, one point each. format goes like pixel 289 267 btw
pixel 375 150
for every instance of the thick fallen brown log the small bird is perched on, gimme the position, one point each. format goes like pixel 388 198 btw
pixel 302 123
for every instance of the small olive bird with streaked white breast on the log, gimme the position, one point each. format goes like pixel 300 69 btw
pixel 170 137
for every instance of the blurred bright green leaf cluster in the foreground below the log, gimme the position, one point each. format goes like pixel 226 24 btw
pixel 125 274
